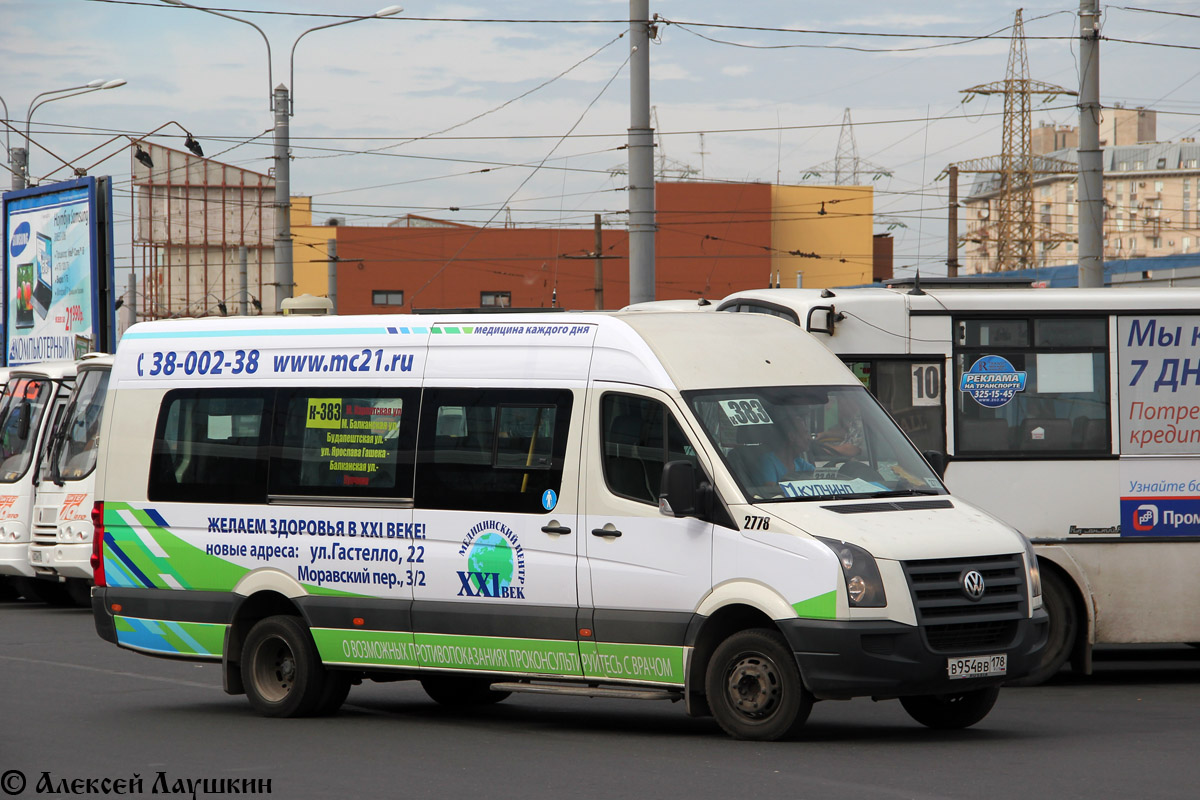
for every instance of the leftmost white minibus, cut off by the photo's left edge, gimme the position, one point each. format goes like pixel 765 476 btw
pixel 34 402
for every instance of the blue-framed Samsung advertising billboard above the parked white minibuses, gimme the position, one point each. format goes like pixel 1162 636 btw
pixel 58 272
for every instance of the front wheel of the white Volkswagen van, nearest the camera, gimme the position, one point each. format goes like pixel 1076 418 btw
pixel 754 687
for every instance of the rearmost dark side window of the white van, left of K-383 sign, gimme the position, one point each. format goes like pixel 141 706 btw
pixel 211 447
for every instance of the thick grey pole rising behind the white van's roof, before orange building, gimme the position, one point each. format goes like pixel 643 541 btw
pixel 641 158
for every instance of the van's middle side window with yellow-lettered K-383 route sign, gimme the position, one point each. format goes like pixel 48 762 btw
pixel 345 443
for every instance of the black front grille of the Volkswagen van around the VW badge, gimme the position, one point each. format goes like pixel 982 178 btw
pixel 951 621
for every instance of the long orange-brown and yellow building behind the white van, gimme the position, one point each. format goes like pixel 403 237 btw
pixel 713 239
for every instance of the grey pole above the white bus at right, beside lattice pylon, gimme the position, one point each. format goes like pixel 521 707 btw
pixel 1091 158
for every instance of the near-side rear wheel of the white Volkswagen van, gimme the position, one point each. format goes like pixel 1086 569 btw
pixel 281 671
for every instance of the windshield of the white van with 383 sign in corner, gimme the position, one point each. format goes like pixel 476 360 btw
pixel 812 443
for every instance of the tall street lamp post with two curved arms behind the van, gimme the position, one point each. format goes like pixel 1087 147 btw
pixel 283 109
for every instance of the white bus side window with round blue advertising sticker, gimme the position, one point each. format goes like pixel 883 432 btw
pixel 1033 387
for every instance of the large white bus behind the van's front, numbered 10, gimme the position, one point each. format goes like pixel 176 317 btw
pixel 1072 414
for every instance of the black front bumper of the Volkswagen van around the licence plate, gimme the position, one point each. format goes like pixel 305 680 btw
pixel 841 660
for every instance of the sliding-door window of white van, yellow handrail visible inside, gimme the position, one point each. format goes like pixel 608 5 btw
pixel 491 449
